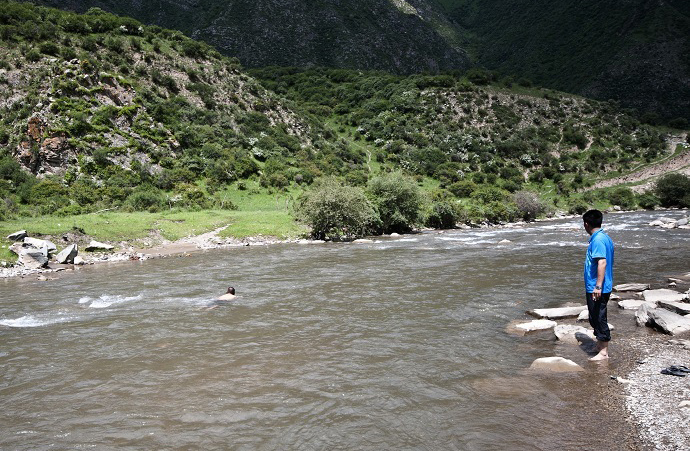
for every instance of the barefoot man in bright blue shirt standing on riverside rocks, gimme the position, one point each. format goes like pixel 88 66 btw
pixel 598 280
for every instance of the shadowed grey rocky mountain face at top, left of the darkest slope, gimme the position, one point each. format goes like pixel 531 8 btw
pixel 390 35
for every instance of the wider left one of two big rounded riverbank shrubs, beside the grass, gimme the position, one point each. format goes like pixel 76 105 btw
pixel 337 211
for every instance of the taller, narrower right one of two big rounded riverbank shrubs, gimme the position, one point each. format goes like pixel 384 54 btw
pixel 398 200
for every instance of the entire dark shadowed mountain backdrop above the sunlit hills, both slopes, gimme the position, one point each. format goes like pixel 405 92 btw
pixel 633 51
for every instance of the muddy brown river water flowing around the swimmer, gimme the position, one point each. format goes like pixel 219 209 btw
pixel 396 344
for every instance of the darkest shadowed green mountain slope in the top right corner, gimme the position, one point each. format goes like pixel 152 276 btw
pixel 634 51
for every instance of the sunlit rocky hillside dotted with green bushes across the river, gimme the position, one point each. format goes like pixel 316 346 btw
pixel 100 112
